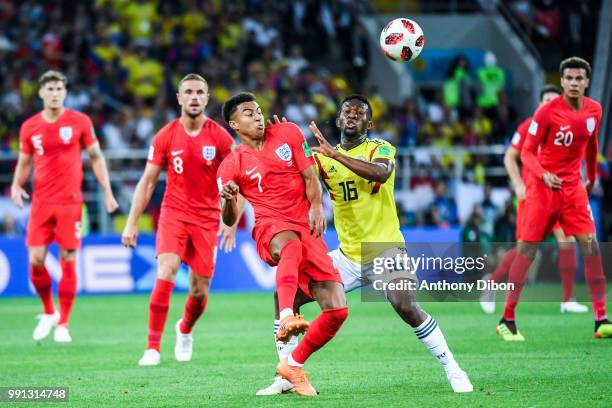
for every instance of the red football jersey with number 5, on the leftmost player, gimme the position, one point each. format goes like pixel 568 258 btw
pixel 58 169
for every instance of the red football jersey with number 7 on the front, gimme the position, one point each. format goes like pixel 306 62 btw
pixel 270 179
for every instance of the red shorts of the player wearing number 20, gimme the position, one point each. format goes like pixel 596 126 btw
pixel 544 207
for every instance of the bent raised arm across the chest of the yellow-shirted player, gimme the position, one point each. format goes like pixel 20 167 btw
pixel 378 170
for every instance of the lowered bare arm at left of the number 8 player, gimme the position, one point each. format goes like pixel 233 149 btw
pixel 142 196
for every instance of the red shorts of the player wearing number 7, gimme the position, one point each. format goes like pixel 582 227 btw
pixel 316 264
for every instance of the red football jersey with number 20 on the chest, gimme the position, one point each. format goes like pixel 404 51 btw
pixel 564 136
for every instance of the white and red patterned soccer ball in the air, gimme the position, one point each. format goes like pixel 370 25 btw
pixel 402 40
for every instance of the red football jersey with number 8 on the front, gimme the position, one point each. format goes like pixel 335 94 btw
pixel 191 164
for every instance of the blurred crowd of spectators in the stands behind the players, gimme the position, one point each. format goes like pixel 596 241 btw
pixel 124 58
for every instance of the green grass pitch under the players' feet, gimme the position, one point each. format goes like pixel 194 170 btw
pixel 374 360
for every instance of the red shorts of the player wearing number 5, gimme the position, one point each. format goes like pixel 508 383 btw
pixel 59 222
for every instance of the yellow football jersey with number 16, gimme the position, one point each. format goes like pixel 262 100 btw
pixel 364 211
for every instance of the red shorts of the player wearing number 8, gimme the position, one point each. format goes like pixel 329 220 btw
pixel 196 245
